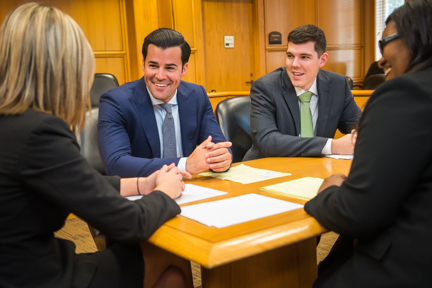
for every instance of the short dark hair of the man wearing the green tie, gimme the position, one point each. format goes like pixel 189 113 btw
pixel 307 33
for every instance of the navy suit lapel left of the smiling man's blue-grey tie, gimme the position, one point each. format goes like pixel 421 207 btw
pixel 144 109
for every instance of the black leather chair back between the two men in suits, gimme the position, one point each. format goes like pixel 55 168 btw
pixel 233 115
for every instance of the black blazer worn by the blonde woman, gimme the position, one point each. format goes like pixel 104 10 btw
pixel 43 178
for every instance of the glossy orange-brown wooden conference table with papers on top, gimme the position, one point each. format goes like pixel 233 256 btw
pixel 275 251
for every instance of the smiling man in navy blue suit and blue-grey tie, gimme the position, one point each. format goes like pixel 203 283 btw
pixel 131 117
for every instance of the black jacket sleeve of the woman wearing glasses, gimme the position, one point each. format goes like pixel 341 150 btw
pixel 392 152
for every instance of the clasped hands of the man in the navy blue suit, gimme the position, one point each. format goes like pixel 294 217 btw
pixel 209 155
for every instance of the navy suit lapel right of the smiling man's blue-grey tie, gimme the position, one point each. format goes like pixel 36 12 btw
pixel 188 125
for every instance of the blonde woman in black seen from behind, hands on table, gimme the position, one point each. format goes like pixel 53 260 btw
pixel 46 70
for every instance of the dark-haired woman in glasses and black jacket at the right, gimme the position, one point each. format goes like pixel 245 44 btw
pixel 386 201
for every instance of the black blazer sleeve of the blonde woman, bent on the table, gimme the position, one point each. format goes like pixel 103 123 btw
pixel 52 166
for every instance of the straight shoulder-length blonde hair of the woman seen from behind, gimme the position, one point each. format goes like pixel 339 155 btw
pixel 46 64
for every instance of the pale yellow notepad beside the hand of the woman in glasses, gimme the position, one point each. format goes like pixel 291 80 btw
pixel 304 188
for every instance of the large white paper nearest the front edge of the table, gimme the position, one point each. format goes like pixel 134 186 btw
pixel 227 212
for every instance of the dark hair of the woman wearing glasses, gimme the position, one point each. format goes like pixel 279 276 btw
pixel 414 25
